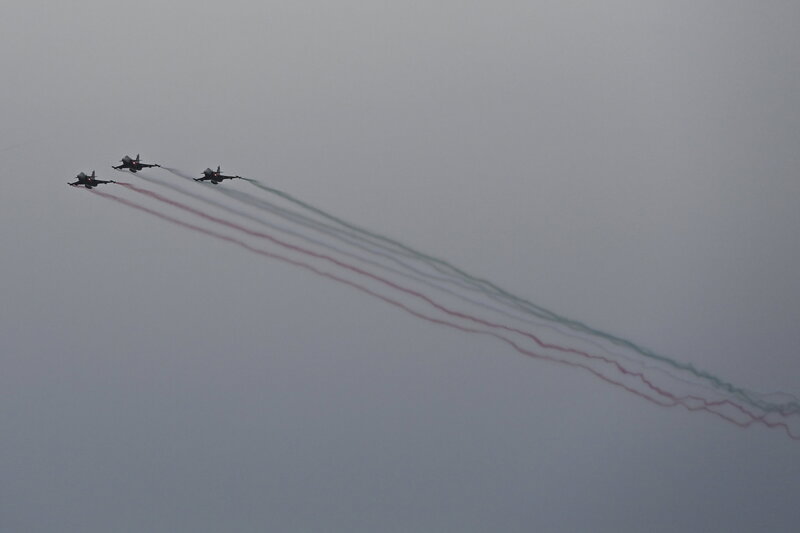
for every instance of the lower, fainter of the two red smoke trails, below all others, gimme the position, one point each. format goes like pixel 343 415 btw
pixel 673 400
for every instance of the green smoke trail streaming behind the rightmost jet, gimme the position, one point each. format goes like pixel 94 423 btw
pixel 484 285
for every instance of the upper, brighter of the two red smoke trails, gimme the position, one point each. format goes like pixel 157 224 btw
pixel 537 340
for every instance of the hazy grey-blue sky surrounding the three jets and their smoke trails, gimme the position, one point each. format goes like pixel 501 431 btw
pixel 632 164
